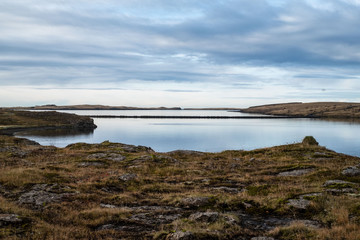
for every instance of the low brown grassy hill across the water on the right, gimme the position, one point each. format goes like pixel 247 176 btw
pixel 314 110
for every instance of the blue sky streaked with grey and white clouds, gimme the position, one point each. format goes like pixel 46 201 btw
pixel 185 53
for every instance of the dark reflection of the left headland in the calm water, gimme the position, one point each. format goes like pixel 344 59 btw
pixel 57 132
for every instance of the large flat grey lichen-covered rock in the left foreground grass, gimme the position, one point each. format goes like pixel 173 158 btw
pixel 42 194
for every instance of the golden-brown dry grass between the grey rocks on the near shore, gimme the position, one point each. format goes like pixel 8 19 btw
pixel 166 181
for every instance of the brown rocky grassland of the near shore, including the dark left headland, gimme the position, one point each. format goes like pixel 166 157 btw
pixel 118 191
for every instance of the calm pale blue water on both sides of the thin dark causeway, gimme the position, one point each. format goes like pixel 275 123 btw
pixel 212 135
